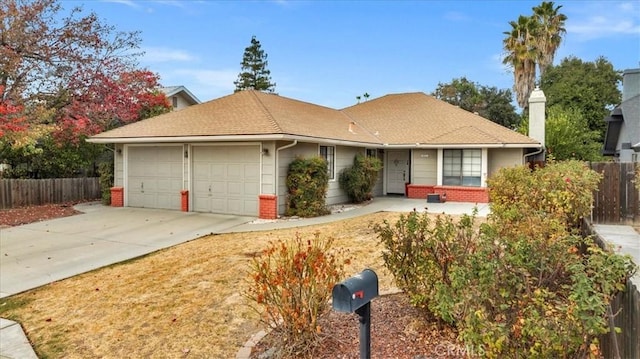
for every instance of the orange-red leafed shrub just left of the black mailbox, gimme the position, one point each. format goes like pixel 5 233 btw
pixel 292 283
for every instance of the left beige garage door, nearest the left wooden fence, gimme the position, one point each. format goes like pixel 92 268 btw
pixel 154 177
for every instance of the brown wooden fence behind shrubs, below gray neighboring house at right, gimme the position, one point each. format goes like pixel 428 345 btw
pixel 617 200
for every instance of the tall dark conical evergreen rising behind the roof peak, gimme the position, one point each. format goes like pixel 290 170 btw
pixel 254 74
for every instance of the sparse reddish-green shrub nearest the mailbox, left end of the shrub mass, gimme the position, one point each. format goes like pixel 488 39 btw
pixel 428 259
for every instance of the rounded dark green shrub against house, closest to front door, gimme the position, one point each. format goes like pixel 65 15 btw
pixel 358 180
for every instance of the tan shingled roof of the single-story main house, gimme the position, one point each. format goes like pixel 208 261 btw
pixel 412 119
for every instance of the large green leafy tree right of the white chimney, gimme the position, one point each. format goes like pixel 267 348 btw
pixel 590 87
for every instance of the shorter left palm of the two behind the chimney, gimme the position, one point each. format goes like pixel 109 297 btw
pixel 521 56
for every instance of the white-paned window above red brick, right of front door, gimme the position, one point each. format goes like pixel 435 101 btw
pixel 462 167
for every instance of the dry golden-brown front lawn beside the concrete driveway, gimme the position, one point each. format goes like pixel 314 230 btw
pixel 185 301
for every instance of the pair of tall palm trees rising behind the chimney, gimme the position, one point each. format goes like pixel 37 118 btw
pixel 532 40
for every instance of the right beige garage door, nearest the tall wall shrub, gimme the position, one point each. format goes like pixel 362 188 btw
pixel 226 179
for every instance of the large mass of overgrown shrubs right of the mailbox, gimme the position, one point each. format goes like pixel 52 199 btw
pixel 524 284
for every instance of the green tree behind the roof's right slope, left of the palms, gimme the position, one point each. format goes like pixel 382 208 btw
pixel 489 102
